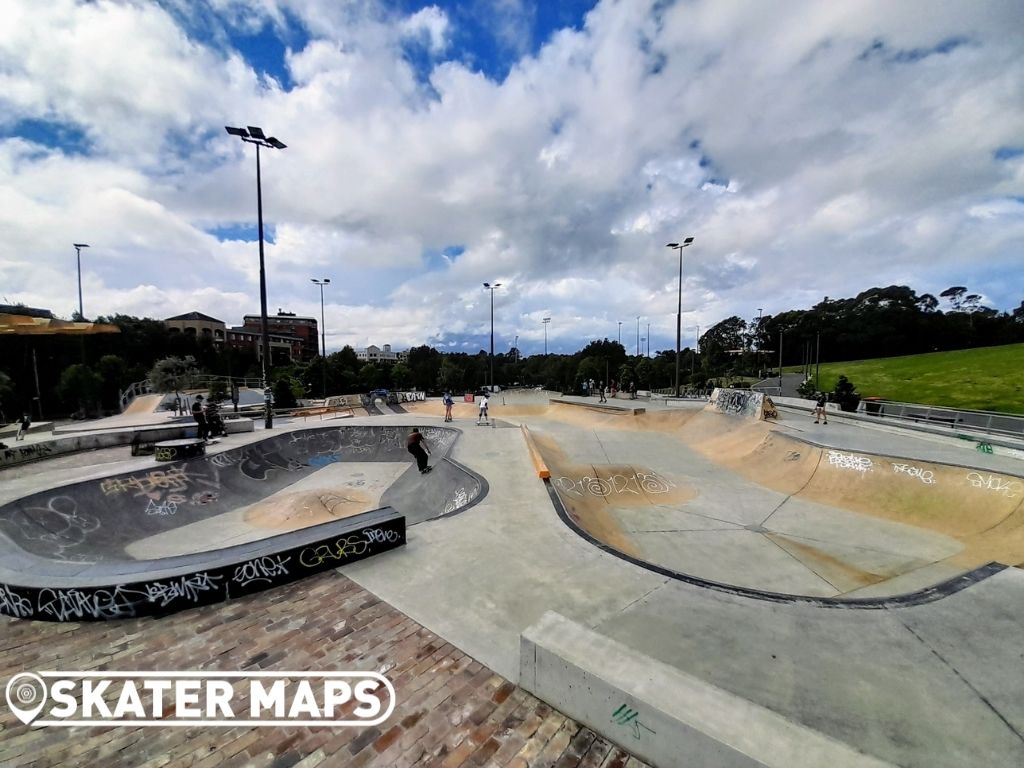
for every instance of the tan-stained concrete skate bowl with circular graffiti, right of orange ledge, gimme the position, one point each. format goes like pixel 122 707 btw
pixel 734 504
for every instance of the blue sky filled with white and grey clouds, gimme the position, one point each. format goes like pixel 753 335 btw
pixel 810 149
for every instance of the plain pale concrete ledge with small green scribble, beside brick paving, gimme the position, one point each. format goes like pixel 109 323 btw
pixel 662 714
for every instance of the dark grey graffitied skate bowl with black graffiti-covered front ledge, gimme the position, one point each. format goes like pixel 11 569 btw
pixel 193 533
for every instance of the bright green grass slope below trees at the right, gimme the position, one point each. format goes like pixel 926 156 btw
pixel 986 379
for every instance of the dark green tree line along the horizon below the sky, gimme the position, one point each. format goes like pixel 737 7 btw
pixel 61 375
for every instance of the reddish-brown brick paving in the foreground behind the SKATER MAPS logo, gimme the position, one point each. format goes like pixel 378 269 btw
pixel 451 711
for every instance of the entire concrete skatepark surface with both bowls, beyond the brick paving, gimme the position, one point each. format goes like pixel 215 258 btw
pixel 760 592
